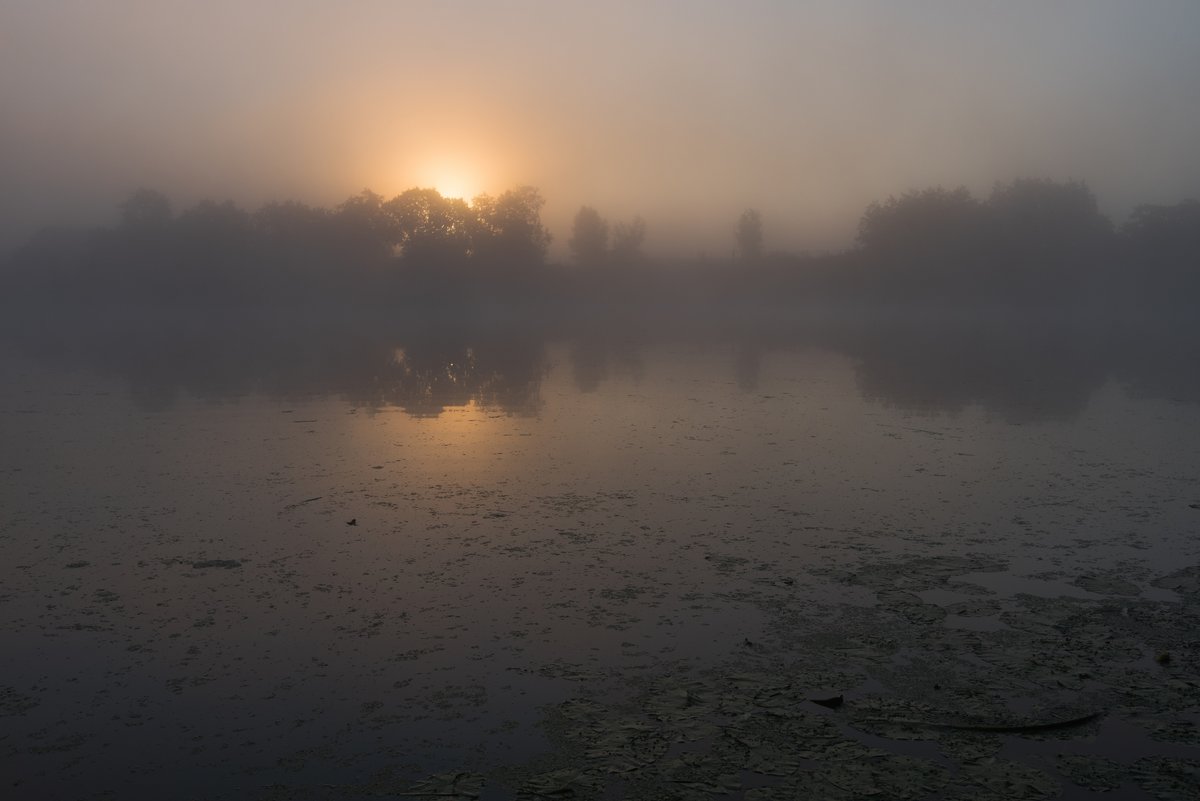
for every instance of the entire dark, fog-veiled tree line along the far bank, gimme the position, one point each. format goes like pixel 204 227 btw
pixel 1031 240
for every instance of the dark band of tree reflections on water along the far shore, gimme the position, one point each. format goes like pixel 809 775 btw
pixel 1022 371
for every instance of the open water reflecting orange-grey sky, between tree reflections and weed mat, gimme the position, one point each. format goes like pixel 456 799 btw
pixel 502 551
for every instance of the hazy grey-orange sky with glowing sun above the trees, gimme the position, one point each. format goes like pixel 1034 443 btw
pixel 685 112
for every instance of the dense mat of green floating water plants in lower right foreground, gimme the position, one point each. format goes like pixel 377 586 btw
pixel 847 702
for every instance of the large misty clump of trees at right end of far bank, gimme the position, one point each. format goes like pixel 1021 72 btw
pixel 1033 239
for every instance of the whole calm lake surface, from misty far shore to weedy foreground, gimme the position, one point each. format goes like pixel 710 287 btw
pixel 283 564
